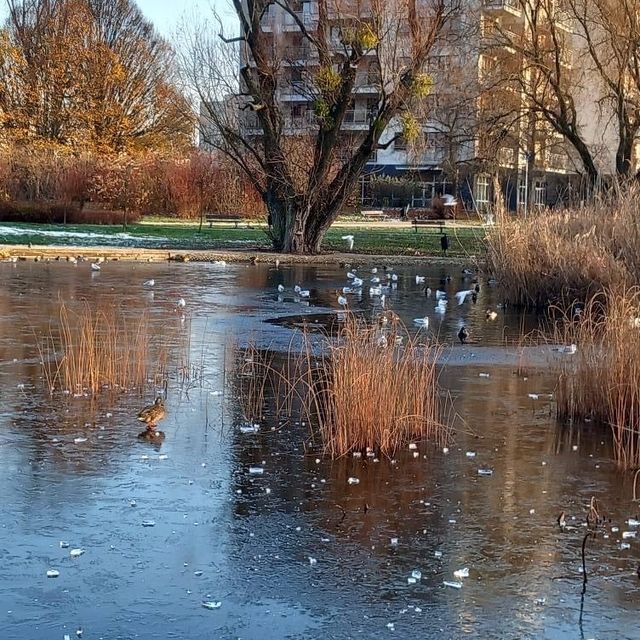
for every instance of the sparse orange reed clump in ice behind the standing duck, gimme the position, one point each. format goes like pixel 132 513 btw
pixel 100 348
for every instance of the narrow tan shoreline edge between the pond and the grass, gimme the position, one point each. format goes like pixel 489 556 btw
pixel 138 254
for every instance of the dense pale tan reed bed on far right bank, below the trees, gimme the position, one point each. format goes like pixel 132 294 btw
pixel 554 257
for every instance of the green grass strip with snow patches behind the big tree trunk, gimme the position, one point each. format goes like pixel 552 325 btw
pixel 384 239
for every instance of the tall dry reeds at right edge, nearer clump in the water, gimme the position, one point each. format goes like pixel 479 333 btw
pixel 601 381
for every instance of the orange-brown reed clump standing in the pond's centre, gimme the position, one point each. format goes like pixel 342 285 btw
pixel 360 390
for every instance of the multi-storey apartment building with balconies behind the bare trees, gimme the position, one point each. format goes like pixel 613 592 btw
pixel 477 124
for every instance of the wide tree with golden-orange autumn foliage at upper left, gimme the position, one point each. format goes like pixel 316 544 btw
pixel 88 74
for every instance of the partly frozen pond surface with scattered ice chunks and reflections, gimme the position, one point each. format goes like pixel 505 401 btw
pixel 223 535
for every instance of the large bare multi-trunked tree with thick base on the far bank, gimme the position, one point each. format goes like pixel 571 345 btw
pixel 306 163
